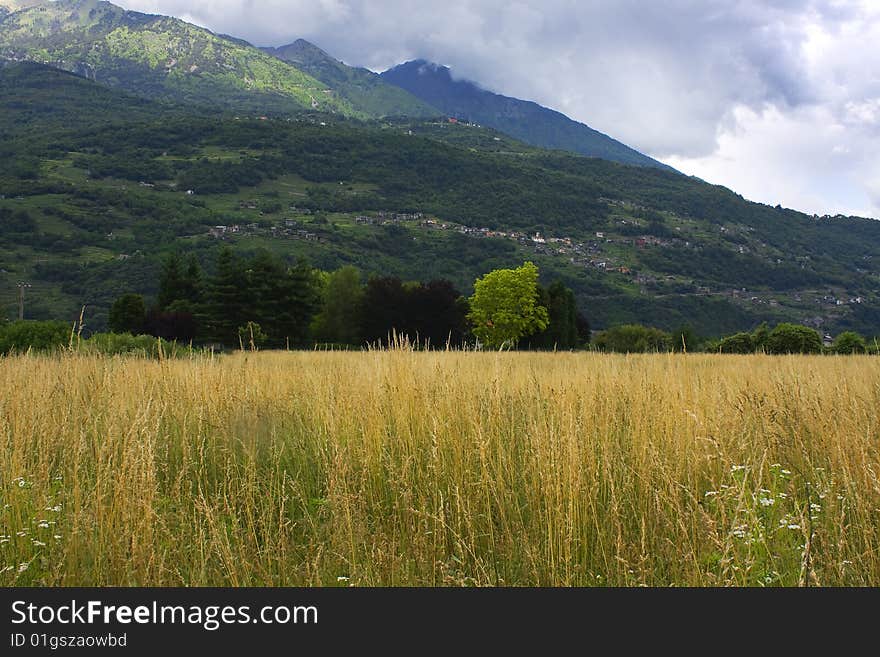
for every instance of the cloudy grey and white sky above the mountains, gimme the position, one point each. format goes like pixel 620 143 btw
pixel 777 99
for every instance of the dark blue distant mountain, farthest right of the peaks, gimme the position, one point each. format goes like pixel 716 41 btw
pixel 521 119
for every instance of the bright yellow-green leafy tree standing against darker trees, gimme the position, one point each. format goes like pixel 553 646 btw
pixel 505 307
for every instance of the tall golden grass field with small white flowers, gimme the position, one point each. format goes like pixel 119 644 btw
pixel 440 468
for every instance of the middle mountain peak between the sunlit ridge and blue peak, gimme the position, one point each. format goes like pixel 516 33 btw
pixel 360 87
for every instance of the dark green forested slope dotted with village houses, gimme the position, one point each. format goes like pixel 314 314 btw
pixel 89 207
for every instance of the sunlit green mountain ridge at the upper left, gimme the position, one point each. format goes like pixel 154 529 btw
pixel 159 57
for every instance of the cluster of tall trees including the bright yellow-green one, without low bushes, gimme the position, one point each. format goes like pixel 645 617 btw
pixel 261 301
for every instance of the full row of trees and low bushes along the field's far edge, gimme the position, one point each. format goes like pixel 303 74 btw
pixel 260 301
